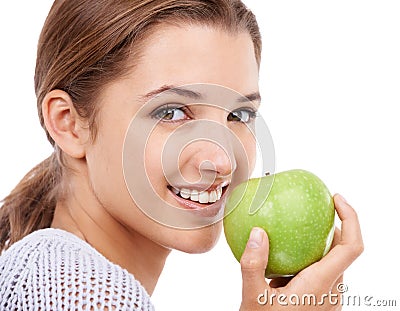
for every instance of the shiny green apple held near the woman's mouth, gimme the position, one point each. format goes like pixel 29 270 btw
pixel 296 210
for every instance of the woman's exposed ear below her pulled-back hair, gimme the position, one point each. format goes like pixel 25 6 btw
pixel 68 130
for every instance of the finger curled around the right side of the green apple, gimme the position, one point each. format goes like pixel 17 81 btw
pixel 348 247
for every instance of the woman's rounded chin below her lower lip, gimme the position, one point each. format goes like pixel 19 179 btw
pixel 197 241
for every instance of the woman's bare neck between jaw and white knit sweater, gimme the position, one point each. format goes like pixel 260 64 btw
pixel 82 215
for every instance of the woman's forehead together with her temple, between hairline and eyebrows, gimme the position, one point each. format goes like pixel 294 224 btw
pixel 178 56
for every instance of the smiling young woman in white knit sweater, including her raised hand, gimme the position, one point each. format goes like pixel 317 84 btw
pixel 72 235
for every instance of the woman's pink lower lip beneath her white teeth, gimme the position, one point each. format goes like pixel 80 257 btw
pixel 208 210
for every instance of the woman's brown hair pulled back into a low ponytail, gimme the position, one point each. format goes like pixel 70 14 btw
pixel 83 46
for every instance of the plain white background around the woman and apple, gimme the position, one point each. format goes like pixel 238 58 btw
pixel 330 81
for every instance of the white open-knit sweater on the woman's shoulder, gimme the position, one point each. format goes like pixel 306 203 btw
pixel 52 269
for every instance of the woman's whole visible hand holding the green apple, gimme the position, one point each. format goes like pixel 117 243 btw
pixel 319 279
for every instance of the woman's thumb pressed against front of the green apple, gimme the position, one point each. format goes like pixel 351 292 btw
pixel 253 263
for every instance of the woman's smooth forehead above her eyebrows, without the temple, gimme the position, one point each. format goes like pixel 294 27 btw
pixel 192 54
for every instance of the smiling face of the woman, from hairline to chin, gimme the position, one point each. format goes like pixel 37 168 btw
pixel 176 57
